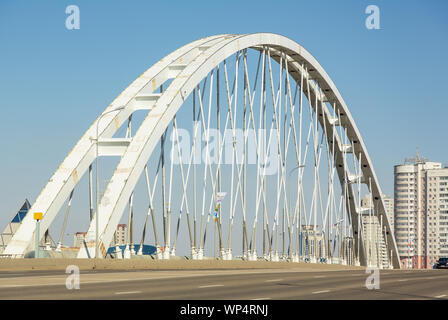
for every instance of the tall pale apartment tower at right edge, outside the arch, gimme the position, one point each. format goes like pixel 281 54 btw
pixel 421 207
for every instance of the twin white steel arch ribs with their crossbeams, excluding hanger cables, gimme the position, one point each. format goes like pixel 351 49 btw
pixel 188 66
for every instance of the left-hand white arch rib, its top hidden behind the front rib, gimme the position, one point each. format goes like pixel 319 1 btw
pixel 83 154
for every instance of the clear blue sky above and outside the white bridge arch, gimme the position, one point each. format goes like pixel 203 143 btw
pixel 55 82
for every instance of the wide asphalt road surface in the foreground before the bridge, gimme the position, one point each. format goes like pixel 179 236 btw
pixel 225 285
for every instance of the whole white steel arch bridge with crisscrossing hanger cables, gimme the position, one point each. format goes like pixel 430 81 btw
pixel 264 179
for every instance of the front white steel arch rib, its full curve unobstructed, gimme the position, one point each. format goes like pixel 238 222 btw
pixel 132 163
